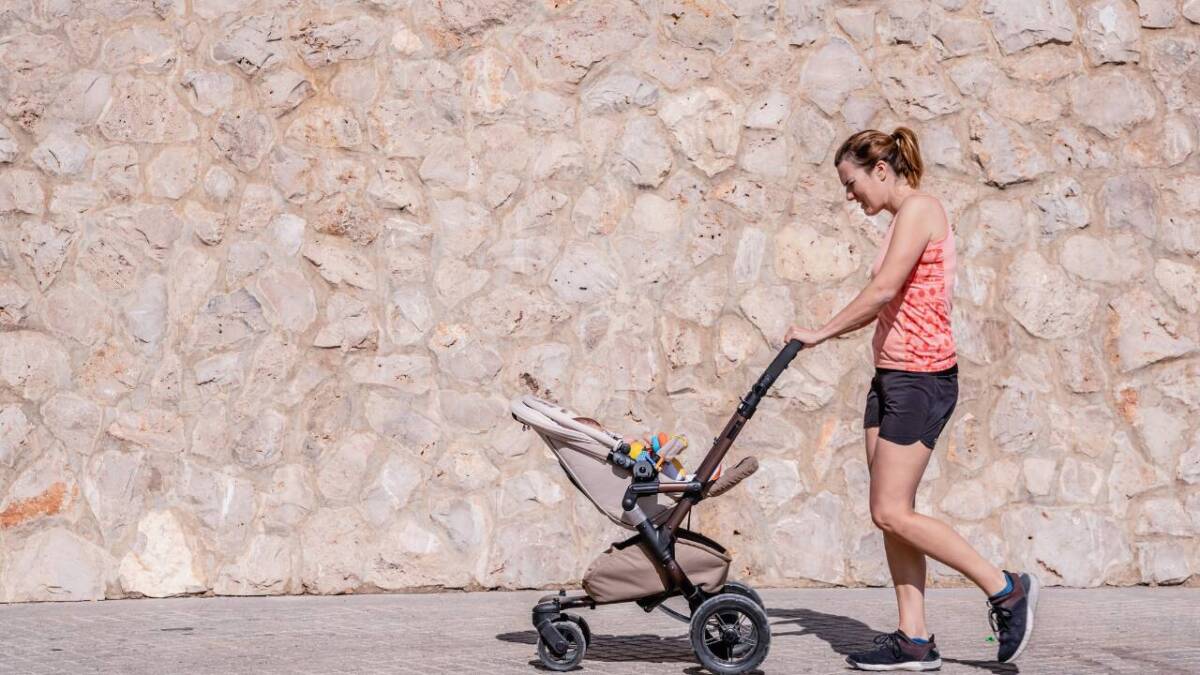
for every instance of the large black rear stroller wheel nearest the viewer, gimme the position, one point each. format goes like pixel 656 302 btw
pixel 730 635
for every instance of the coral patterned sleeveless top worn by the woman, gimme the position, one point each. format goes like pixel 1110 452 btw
pixel 914 332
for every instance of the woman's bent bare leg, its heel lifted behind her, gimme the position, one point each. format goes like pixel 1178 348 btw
pixel 896 474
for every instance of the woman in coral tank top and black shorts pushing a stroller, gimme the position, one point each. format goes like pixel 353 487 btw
pixel 911 398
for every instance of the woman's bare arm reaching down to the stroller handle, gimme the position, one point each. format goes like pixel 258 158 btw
pixel 909 242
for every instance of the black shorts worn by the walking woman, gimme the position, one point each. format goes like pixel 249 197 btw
pixel 911 407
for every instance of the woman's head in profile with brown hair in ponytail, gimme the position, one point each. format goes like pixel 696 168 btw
pixel 871 164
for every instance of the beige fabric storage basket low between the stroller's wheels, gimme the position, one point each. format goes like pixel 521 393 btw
pixel 631 574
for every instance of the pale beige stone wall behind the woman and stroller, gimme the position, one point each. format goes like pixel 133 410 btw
pixel 272 271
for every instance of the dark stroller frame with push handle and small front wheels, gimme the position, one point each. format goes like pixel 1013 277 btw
pixel 659 540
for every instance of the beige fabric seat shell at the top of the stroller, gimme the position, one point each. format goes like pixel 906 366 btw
pixel 584 452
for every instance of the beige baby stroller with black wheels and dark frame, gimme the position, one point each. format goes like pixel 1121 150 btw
pixel 729 629
